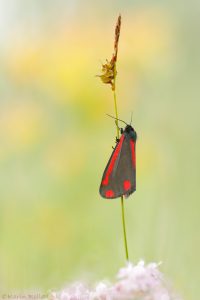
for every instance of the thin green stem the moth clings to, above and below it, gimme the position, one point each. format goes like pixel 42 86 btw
pixel 122 198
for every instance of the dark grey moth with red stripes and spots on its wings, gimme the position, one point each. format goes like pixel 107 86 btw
pixel 119 177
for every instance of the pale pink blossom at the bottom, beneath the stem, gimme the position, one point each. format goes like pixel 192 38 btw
pixel 134 282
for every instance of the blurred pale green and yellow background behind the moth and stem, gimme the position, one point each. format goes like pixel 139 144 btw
pixel 55 140
